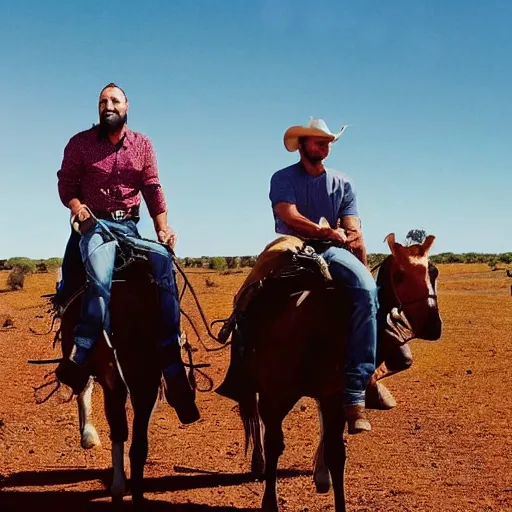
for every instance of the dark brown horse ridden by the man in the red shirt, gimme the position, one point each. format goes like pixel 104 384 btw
pixel 130 367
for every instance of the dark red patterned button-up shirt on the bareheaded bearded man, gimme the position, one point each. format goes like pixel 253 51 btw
pixel 108 177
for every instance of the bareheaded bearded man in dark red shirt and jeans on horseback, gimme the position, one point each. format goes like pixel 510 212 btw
pixel 104 171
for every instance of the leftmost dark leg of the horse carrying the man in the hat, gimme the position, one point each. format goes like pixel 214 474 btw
pixel 272 417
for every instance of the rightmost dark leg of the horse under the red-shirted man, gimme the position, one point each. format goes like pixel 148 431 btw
pixel 143 405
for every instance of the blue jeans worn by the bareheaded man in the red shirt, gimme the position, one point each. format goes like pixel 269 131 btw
pixel 98 250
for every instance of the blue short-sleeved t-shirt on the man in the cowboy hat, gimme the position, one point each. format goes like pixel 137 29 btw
pixel 330 195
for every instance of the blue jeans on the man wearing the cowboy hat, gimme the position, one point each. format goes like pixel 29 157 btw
pixel 357 280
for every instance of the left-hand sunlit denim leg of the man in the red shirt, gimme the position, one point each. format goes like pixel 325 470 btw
pixel 98 255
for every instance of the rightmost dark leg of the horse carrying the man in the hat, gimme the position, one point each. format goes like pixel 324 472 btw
pixel 334 448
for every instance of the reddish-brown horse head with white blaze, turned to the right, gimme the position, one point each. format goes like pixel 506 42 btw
pixel 408 291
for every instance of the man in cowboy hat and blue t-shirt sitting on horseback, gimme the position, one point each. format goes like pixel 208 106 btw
pixel 301 195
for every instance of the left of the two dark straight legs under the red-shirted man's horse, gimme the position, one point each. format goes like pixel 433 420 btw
pixel 115 411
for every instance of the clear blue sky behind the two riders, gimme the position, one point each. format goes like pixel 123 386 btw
pixel 425 85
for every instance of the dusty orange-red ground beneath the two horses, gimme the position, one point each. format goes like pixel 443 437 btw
pixel 446 447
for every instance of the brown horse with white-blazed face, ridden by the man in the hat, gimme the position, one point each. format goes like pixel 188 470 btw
pixel 294 333
